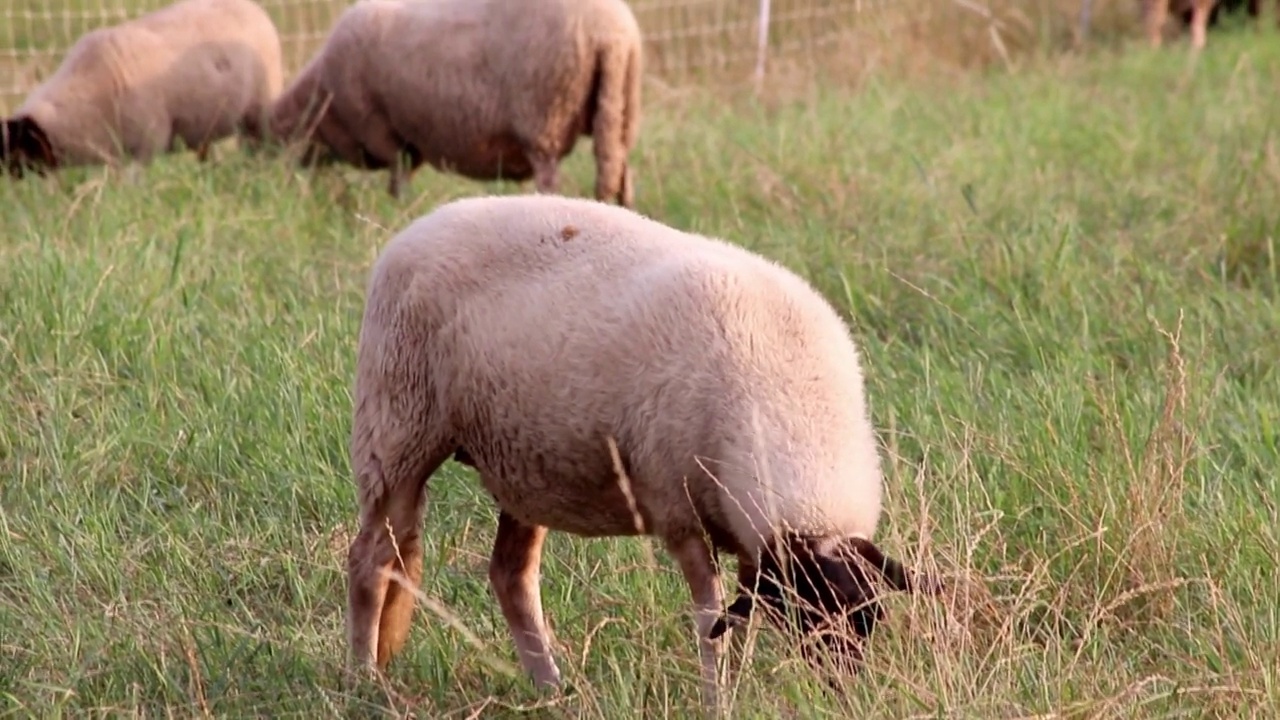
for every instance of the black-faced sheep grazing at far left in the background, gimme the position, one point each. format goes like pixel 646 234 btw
pixel 194 71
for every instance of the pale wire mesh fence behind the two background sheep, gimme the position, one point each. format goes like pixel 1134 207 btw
pixel 684 39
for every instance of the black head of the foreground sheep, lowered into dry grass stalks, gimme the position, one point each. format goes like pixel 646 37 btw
pixel 826 590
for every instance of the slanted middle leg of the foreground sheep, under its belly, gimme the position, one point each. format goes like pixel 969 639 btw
pixel 514 573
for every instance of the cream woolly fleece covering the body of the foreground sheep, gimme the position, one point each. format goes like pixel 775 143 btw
pixel 528 330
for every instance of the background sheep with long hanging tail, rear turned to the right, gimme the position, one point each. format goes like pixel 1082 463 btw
pixel 486 89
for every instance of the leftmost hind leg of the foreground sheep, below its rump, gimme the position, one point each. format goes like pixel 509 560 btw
pixel 380 609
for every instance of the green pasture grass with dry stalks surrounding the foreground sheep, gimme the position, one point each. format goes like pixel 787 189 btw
pixel 177 352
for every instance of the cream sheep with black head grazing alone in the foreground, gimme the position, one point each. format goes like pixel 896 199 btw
pixel 523 335
